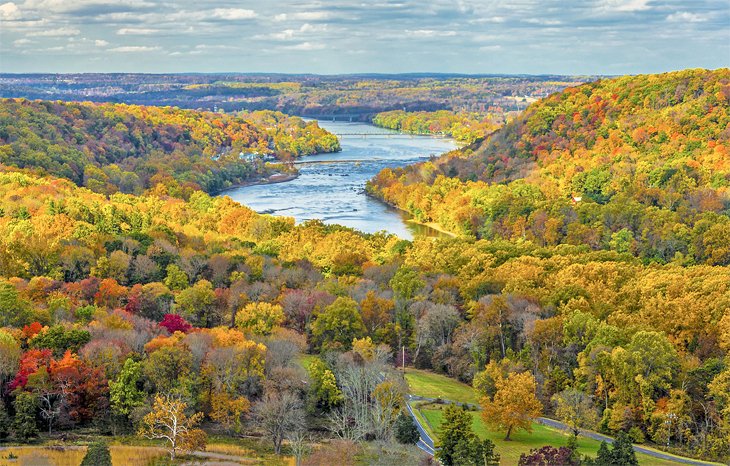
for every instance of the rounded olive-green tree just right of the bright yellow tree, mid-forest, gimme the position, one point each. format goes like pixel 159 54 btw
pixel 338 325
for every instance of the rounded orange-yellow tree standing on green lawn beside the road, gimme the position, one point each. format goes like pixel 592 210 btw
pixel 514 405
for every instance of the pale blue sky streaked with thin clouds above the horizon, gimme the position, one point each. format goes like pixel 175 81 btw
pixel 358 36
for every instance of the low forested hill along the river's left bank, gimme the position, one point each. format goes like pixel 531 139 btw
pixel 128 148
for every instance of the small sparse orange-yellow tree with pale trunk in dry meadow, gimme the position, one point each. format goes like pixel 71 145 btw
pixel 168 421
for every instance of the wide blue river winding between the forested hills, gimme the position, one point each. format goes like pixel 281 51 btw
pixel 331 186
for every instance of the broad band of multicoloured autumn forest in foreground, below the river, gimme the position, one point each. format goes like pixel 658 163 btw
pixel 104 285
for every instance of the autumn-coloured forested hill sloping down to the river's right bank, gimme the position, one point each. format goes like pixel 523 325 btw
pixel 633 164
